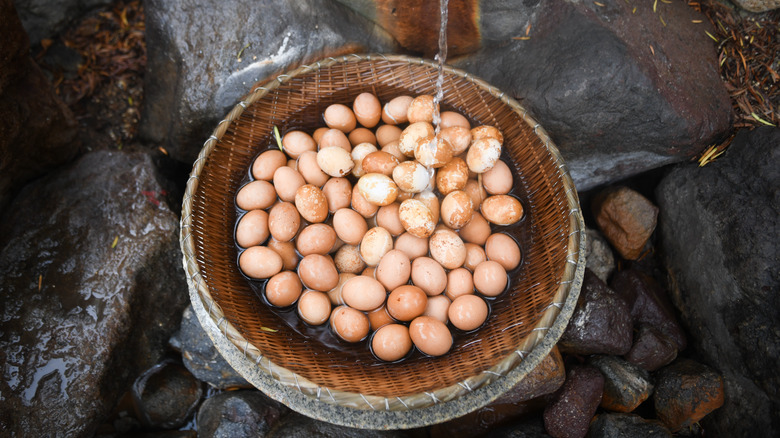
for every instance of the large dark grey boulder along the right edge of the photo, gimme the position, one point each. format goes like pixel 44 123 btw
pixel 719 227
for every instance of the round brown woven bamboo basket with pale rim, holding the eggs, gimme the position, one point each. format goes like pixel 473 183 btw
pixel 348 385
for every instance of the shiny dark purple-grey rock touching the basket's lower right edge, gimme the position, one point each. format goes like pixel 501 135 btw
pixel 601 323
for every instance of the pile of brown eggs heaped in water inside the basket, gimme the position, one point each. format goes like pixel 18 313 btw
pixel 382 229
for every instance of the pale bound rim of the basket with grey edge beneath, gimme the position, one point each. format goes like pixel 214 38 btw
pixel 344 407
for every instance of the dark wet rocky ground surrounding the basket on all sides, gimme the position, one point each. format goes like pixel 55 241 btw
pixel 675 330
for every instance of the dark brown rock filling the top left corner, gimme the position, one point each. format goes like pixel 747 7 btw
pixel 38 130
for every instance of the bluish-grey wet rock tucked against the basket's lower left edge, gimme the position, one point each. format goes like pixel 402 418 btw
pixel 201 357
